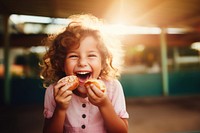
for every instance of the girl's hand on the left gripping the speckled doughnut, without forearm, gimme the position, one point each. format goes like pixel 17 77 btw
pixel 62 95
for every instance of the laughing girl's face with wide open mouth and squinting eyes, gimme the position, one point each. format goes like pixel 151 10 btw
pixel 84 61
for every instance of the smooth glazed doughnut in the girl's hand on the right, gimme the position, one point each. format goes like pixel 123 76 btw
pixel 98 83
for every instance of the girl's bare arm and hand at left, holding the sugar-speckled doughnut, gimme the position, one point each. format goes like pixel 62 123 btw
pixel 62 97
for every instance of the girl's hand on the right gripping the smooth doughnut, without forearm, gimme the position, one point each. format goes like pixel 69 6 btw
pixel 95 95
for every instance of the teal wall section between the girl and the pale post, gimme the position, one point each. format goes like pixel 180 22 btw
pixel 141 84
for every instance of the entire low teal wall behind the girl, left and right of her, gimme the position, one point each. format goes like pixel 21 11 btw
pixel 31 91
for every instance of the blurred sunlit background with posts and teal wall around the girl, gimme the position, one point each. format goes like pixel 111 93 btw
pixel 161 79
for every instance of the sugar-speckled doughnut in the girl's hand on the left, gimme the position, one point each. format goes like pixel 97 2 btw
pixel 71 80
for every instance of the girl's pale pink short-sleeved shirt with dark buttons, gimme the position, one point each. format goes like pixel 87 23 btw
pixel 84 117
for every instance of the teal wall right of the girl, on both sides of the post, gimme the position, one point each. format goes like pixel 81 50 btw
pixel 180 83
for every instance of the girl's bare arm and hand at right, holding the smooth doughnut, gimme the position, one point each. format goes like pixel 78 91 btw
pixel 113 123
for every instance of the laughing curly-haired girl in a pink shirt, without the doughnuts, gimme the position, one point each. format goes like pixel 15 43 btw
pixel 83 50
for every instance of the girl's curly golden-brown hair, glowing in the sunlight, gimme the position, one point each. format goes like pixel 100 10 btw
pixel 59 44
